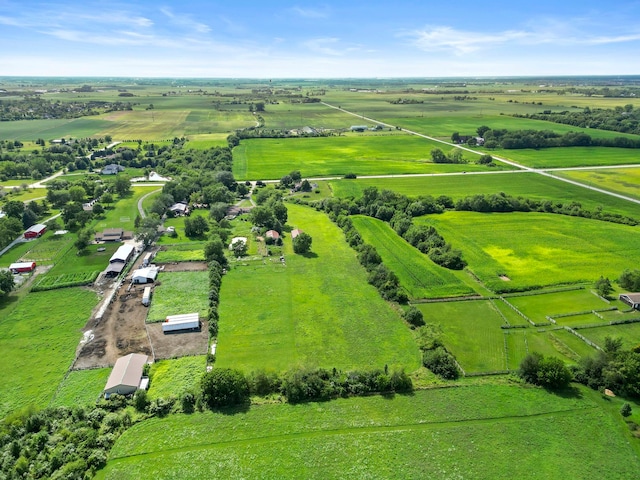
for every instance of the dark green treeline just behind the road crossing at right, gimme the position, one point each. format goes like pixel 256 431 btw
pixel 519 139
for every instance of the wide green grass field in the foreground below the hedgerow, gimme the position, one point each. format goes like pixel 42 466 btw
pixel 470 432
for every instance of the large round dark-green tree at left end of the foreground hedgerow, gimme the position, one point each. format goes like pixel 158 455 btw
pixel 222 387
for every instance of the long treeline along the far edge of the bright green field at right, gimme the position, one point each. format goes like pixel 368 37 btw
pixel 500 202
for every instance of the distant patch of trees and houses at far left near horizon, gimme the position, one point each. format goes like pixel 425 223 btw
pixel 37 108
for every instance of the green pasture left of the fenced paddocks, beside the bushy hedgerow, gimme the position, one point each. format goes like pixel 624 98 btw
pixel 471 331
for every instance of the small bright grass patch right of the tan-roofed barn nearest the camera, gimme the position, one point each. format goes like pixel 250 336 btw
pixel 171 378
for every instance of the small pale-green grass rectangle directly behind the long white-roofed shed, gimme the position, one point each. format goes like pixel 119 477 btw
pixel 176 293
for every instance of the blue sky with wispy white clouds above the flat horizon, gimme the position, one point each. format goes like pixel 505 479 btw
pixel 319 39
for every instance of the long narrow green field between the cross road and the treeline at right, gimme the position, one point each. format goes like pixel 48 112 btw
pixel 529 185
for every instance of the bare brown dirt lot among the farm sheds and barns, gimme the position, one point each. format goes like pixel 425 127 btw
pixel 122 330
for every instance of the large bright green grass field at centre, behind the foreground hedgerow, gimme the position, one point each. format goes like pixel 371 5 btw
pixel 318 310
